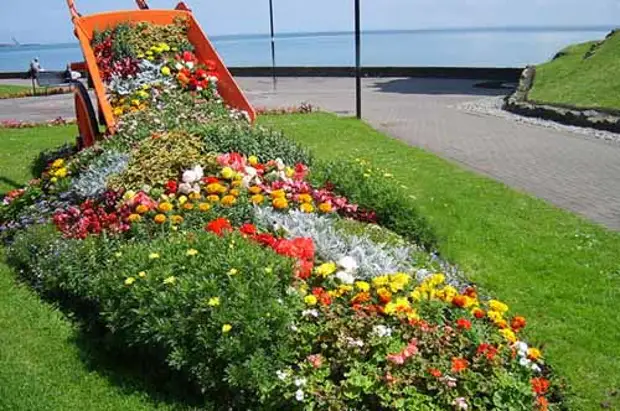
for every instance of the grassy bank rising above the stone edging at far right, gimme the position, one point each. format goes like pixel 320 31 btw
pixel 573 80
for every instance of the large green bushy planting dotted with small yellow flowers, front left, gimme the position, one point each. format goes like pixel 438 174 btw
pixel 166 304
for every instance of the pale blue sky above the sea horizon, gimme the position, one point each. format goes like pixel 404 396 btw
pixel 47 21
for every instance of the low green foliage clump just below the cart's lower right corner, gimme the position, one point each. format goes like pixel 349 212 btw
pixel 241 137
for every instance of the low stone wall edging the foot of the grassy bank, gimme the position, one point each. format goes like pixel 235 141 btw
pixel 518 103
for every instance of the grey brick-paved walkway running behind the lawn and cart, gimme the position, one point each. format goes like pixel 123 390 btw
pixel 569 170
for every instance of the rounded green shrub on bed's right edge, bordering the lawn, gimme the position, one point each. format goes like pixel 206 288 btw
pixel 395 210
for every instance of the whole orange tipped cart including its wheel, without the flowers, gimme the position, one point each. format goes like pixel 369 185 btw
pixel 85 26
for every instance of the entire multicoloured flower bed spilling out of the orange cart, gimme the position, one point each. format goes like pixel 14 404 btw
pixel 268 280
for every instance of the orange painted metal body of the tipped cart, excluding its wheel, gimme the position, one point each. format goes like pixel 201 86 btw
pixel 85 26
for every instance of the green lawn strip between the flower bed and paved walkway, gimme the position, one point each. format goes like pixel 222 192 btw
pixel 560 271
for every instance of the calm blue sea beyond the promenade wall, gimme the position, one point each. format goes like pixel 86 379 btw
pixel 471 47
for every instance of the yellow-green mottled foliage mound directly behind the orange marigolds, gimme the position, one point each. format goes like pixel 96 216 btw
pixel 161 158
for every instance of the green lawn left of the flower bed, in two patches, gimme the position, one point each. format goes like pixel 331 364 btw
pixel 43 365
